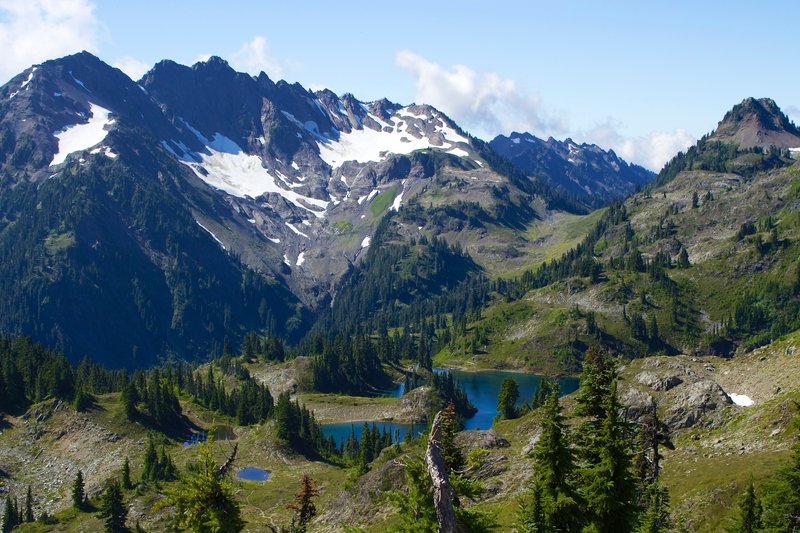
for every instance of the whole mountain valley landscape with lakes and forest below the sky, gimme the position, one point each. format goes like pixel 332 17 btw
pixel 323 278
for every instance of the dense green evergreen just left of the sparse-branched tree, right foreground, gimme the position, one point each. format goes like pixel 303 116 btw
pixel 610 486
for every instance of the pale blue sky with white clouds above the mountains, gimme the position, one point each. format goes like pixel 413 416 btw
pixel 645 79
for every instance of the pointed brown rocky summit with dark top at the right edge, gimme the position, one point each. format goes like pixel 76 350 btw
pixel 757 122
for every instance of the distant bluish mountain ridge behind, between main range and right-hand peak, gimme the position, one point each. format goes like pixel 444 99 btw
pixel 592 175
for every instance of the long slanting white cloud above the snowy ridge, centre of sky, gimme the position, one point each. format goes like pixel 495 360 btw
pixel 482 102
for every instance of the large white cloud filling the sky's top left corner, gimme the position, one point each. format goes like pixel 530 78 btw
pixel 32 31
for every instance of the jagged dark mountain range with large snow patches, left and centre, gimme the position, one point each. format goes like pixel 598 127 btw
pixel 156 218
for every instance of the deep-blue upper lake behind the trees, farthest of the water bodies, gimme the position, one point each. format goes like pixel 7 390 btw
pixel 483 387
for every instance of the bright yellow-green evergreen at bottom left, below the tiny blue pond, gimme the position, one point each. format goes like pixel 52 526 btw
pixel 204 500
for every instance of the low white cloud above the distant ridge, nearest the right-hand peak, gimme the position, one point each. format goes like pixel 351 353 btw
pixel 650 151
